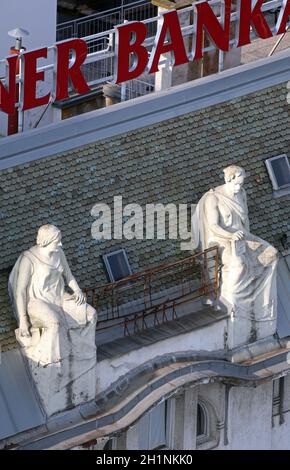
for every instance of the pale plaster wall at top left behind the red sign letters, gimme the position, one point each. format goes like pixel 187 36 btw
pixel 39 18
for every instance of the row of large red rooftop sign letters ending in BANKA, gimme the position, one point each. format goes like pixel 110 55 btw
pixel 132 56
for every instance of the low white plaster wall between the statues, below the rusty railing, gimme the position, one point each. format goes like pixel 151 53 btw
pixel 209 338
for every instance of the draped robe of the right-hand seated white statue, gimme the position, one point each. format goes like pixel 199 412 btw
pixel 248 274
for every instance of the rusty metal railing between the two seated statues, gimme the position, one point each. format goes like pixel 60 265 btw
pixel 156 295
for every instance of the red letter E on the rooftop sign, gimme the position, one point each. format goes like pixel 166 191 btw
pixel 31 77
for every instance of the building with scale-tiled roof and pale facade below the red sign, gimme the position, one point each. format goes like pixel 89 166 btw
pixel 176 382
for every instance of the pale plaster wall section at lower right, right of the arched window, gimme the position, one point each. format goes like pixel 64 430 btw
pixel 250 418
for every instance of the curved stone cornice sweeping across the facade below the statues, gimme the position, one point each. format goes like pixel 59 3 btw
pixel 118 408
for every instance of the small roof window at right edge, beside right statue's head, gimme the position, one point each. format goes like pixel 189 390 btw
pixel 279 171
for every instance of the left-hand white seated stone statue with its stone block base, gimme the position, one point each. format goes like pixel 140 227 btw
pixel 56 330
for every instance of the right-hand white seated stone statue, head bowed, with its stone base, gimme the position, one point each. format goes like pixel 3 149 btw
pixel 248 263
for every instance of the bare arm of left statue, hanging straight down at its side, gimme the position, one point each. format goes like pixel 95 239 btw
pixel 25 273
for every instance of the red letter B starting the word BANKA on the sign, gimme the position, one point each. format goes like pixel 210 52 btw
pixel 126 47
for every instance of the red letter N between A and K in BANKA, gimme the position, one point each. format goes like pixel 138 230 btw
pixel 205 18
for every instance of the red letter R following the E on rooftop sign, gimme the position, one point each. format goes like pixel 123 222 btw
pixel 79 46
